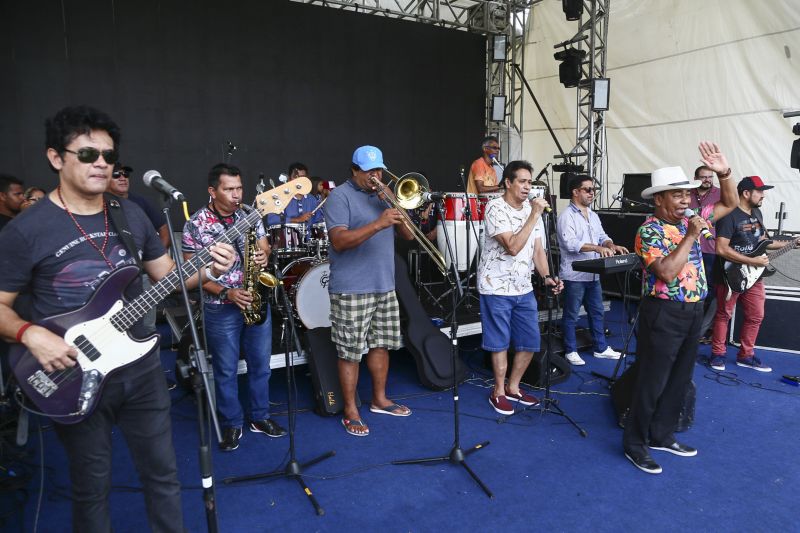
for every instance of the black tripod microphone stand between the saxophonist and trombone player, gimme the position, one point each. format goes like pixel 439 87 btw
pixel 293 469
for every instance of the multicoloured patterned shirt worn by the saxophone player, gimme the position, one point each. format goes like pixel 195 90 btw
pixel 202 229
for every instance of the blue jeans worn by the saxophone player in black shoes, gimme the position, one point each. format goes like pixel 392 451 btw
pixel 227 334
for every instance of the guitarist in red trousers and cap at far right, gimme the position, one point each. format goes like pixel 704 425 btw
pixel 741 239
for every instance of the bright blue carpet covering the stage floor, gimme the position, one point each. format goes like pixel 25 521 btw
pixel 544 475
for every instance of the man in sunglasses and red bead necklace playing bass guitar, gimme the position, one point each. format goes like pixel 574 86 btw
pixel 61 251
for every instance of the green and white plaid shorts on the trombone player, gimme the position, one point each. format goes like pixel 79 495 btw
pixel 362 321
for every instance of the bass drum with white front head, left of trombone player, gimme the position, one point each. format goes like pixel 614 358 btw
pixel 306 284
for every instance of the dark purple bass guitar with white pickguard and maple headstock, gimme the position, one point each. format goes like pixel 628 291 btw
pixel 99 329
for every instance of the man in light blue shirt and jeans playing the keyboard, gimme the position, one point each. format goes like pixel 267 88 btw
pixel 581 237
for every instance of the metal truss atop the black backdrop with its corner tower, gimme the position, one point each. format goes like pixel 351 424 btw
pixel 501 21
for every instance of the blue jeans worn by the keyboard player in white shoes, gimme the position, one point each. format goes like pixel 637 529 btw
pixel 590 295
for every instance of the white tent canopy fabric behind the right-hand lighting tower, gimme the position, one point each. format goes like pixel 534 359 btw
pixel 682 71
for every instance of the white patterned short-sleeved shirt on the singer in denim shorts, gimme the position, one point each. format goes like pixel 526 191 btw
pixel 499 272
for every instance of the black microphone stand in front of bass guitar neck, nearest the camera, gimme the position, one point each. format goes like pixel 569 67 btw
pixel 201 380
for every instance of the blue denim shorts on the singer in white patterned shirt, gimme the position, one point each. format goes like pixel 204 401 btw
pixel 510 318
